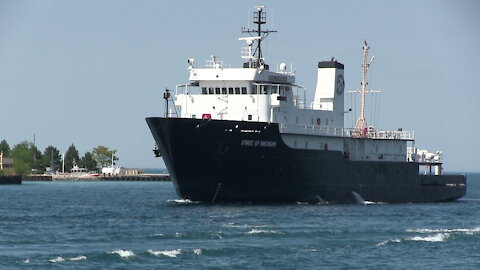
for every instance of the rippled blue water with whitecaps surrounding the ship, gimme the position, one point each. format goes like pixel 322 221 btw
pixel 140 225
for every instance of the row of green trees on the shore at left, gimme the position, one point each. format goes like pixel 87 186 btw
pixel 28 159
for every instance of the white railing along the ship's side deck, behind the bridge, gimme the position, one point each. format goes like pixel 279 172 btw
pixel 347 132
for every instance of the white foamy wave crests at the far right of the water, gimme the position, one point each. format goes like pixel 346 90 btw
pixel 434 235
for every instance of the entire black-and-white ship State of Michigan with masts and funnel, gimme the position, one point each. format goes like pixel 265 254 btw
pixel 248 134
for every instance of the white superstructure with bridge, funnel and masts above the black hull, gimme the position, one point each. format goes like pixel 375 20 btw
pixel 255 93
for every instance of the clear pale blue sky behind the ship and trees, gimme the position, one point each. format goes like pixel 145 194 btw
pixel 89 72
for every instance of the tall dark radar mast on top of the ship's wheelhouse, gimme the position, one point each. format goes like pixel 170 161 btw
pixel 259 18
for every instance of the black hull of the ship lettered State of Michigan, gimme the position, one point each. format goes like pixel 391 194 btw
pixel 207 162
